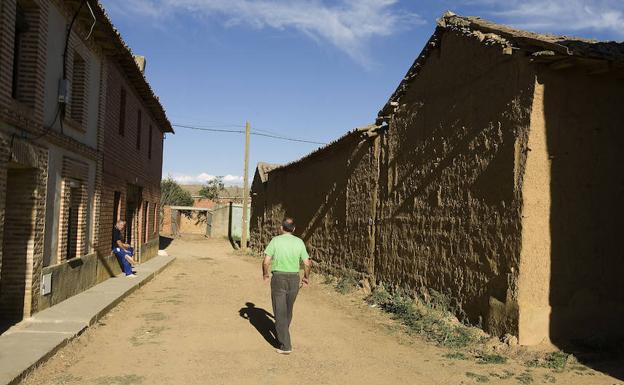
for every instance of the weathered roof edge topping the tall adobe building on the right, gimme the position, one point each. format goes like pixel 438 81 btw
pixel 540 47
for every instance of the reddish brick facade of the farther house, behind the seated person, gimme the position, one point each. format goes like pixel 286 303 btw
pixel 124 165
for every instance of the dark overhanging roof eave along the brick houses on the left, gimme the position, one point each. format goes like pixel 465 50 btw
pixel 113 46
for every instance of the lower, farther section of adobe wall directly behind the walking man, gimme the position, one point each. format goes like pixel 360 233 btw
pixel 329 195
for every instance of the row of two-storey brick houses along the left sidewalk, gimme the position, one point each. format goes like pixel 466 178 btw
pixel 59 113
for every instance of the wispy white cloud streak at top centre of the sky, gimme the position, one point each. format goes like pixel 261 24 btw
pixel 347 24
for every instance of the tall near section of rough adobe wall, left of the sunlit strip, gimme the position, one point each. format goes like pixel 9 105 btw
pixel 451 178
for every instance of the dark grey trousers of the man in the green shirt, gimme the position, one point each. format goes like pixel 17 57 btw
pixel 284 289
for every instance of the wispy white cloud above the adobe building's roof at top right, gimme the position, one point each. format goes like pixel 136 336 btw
pixel 560 15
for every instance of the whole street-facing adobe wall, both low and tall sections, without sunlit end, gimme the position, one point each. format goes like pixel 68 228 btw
pixel 433 204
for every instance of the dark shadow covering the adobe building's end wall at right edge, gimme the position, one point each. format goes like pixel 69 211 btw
pixel 586 216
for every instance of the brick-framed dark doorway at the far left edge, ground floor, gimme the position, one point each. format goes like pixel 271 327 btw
pixel 23 177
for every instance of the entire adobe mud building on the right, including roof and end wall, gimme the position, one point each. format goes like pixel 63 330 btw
pixel 493 175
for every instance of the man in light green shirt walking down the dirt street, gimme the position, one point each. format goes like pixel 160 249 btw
pixel 282 257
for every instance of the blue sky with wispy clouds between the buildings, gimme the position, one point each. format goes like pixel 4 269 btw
pixel 308 69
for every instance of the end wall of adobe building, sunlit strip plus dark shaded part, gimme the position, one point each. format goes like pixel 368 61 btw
pixel 572 290
